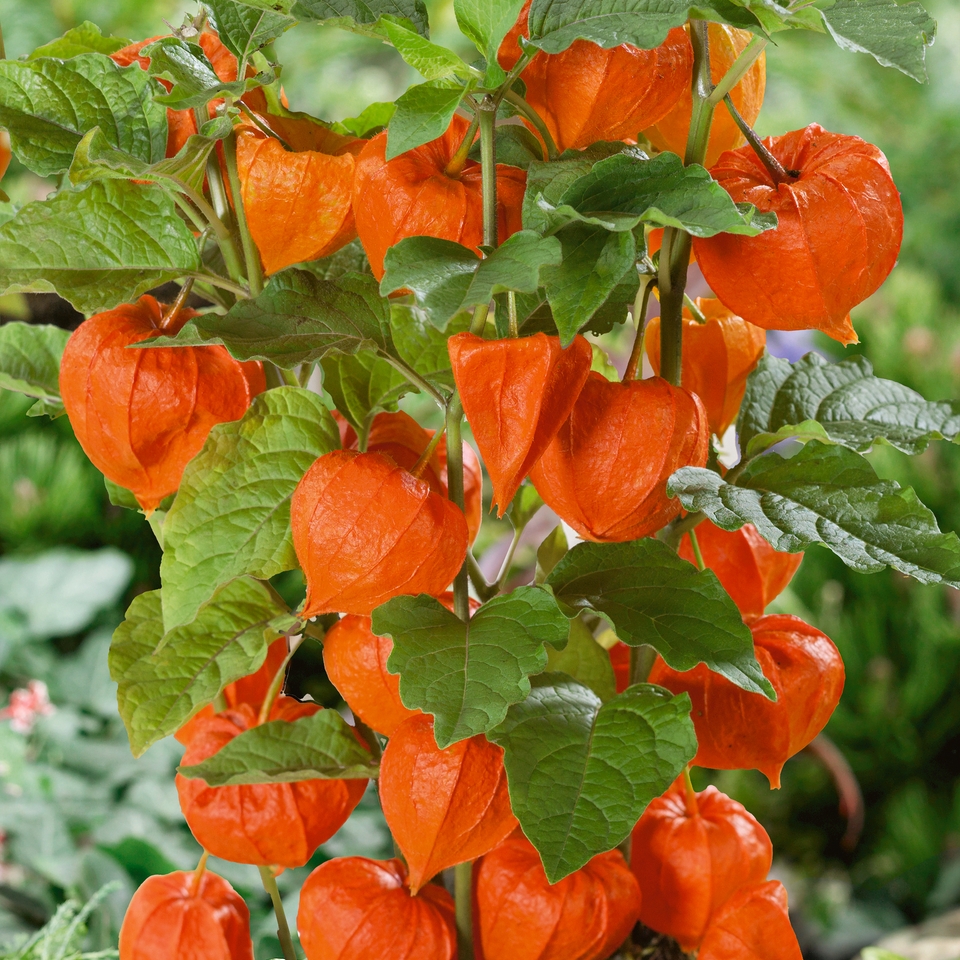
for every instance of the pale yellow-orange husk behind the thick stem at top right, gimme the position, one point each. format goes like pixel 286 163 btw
pixel 726 44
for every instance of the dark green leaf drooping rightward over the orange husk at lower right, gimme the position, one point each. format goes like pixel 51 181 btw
pixel 652 596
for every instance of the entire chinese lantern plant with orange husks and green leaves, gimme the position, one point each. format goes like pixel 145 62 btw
pixel 487 712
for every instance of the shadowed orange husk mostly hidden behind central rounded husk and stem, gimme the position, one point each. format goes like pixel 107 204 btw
pixel 400 437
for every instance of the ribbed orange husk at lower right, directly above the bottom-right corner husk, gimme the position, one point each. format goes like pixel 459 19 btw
pixel 690 855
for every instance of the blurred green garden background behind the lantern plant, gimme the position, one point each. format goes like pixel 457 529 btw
pixel 76 810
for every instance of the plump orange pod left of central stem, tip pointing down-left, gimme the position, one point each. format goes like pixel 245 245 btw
pixel 366 530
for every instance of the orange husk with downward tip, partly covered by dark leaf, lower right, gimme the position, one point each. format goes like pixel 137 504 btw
pixel 737 730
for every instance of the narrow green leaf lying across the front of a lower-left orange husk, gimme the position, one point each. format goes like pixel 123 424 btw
pixel 319 747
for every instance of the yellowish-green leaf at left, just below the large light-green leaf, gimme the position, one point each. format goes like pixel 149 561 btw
pixel 159 690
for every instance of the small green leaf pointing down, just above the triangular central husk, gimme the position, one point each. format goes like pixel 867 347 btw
pixel 595 262
